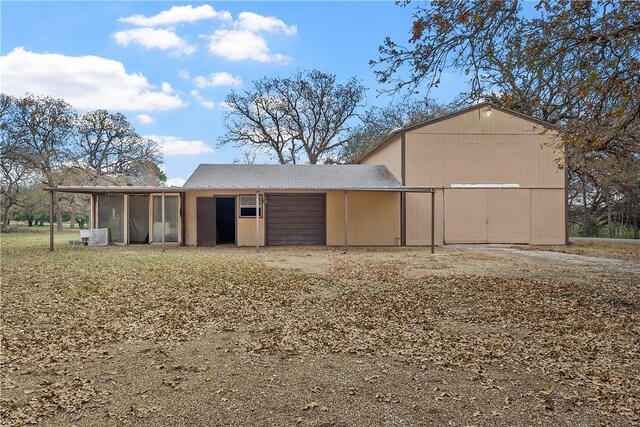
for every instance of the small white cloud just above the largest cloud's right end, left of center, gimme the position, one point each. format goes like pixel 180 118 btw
pixel 154 38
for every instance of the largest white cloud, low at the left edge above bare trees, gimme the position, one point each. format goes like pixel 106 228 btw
pixel 86 82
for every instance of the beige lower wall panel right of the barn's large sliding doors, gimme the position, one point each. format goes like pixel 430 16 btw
pixel 547 217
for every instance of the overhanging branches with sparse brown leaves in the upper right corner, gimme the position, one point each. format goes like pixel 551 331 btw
pixel 575 63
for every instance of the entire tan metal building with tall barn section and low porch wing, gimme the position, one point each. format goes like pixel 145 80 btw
pixel 480 175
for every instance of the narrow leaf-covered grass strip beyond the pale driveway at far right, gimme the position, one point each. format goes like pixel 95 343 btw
pixel 626 250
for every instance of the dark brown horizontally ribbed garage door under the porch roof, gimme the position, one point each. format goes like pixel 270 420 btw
pixel 295 219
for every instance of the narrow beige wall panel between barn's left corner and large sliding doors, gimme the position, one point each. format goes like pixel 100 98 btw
pixel 419 218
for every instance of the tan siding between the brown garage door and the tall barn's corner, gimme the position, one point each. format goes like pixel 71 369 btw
pixel 374 218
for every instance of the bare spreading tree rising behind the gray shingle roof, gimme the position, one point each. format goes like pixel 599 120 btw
pixel 303 118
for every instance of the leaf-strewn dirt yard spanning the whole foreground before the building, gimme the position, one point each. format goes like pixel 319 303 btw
pixel 472 335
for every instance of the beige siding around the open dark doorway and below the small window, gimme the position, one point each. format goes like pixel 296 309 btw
pixel 246 227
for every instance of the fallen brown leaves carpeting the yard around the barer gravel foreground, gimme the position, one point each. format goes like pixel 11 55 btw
pixel 64 306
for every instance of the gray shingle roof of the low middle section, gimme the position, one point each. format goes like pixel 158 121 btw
pixel 292 177
